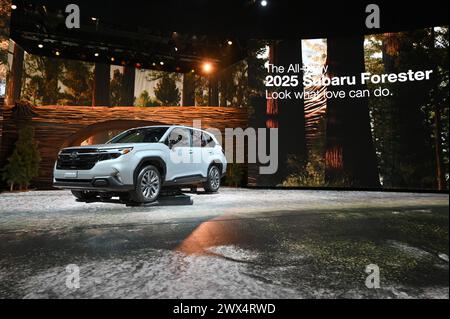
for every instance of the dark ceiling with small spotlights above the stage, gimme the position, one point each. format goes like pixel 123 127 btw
pixel 183 34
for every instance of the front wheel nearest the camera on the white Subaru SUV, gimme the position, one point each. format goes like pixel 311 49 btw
pixel 148 185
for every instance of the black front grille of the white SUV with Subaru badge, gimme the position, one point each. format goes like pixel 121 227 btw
pixel 80 159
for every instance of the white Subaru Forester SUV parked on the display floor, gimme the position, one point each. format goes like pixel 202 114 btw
pixel 137 163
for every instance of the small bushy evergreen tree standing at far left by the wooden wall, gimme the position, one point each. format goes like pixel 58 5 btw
pixel 23 164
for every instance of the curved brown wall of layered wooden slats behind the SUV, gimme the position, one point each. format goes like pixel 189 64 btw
pixel 55 125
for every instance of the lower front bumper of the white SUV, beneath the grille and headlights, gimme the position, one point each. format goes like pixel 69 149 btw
pixel 106 184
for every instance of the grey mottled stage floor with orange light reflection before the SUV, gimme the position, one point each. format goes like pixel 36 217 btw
pixel 238 243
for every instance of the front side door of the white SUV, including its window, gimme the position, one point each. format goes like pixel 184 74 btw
pixel 180 153
